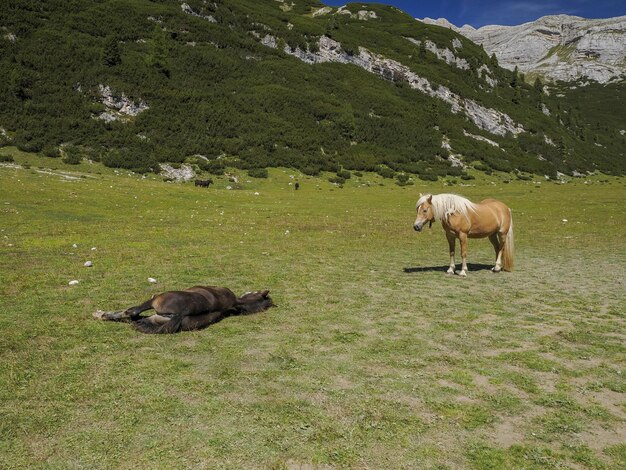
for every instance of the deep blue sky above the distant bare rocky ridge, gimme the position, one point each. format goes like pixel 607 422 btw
pixel 481 12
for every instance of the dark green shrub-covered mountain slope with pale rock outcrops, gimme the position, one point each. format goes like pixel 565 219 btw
pixel 268 83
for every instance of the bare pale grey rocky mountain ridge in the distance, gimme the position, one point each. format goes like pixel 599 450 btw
pixel 559 47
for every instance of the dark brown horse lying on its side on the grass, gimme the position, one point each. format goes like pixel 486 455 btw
pixel 190 309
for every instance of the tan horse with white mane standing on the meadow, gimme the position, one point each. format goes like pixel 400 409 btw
pixel 464 219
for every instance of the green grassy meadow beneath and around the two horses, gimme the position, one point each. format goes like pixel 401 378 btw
pixel 373 357
